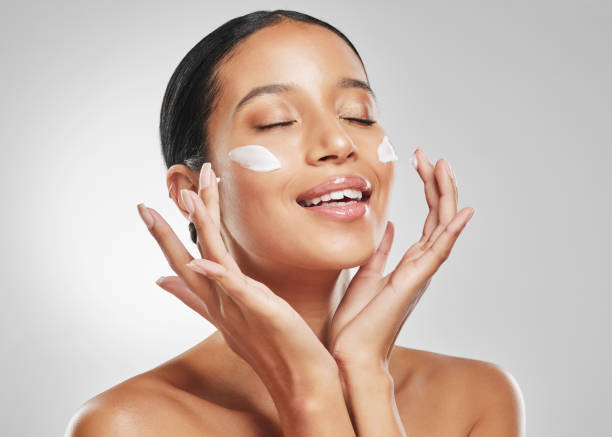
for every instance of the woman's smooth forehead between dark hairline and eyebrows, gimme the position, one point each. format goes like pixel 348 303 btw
pixel 308 55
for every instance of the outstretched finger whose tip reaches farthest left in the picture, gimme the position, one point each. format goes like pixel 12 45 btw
pixel 176 254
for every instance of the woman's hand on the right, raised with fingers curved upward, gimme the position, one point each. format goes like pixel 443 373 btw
pixel 374 308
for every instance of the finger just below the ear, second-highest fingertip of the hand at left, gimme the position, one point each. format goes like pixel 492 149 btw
pixel 207 231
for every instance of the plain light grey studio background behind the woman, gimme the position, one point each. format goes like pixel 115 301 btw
pixel 516 95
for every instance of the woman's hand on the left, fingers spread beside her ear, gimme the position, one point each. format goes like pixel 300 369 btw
pixel 257 324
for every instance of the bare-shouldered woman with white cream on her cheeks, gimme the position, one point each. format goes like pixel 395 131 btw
pixel 278 106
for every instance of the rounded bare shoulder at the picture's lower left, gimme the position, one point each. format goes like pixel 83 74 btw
pixel 139 406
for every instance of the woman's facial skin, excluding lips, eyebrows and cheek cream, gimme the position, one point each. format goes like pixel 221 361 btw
pixel 261 217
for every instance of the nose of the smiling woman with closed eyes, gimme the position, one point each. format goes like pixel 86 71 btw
pixel 330 143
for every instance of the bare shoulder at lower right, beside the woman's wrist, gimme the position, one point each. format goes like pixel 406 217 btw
pixel 472 394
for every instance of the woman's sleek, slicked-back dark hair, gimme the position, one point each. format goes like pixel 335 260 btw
pixel 191 93
